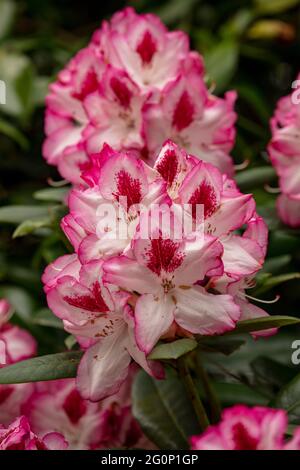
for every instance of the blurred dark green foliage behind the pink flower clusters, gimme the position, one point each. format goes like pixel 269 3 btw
pixel 252 46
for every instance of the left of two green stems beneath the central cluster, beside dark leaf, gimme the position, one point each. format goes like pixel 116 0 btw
pixel 192 392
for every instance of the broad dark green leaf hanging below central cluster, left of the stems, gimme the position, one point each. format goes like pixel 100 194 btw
pixel 164 411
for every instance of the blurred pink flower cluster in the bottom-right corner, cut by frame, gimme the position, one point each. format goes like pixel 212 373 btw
pixel 244 428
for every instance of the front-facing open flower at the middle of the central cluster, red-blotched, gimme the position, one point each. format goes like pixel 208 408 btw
pixel 164 272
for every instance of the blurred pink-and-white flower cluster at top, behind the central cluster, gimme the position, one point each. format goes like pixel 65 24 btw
pixel 135 85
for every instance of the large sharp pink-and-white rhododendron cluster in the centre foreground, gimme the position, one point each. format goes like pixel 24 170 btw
pixel 119 295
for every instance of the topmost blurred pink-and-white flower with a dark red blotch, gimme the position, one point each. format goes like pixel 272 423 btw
pixel 143 47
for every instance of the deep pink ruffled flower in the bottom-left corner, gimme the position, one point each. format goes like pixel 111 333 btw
pixel 19 436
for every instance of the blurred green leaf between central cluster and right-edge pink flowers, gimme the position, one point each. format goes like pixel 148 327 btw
pixel 255 177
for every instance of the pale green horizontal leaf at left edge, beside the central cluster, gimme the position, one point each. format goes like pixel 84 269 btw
pixel 19 214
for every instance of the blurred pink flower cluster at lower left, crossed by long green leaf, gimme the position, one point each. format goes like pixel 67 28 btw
pixel 52 415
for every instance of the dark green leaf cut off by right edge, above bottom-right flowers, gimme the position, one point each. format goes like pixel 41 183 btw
pixel 289 399
